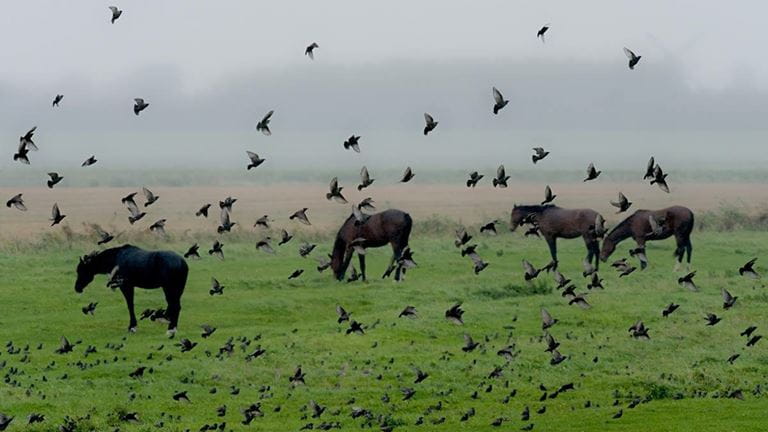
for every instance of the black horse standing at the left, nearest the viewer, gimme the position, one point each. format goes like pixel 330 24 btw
pixel 132 267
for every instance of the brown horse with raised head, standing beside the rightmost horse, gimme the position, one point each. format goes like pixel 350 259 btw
pixel 555 222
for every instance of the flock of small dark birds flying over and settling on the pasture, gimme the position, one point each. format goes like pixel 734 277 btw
pixel 314 411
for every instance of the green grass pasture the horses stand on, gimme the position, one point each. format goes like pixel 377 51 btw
pixel 680 374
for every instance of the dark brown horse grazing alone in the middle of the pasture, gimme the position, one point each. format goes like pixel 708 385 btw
pixel 388 227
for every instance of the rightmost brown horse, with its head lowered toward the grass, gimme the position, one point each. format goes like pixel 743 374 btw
pixel 675 220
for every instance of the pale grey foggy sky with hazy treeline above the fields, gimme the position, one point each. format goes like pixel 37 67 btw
pixel 210 69
